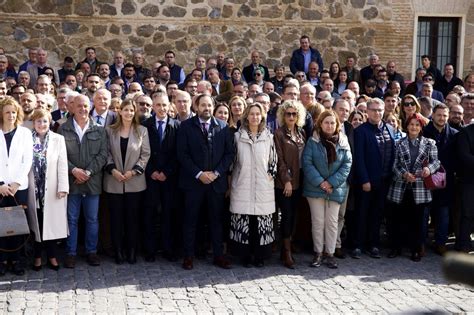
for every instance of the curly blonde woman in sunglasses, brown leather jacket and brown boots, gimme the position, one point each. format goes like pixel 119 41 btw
pixel 290 139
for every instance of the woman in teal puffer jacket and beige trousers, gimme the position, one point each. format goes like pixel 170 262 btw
pixel 327 161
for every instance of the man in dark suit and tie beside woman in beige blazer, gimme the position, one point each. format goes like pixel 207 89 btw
pixel 161 179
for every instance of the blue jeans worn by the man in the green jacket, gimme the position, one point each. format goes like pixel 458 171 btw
pixel 90 206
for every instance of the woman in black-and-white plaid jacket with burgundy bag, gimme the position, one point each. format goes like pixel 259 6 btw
pixel 416 157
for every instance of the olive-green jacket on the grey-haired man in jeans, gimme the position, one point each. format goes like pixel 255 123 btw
pixel 90 155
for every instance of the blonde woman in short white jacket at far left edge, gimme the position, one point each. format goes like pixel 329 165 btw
pixel 15 163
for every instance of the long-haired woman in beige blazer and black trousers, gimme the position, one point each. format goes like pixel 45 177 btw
pixel 129 151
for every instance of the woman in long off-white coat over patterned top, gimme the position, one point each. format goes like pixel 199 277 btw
pixel 48 188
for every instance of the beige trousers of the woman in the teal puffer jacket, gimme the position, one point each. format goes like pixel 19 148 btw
pixel 324 218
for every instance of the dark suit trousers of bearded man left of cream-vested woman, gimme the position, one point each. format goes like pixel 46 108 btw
pixel 194 199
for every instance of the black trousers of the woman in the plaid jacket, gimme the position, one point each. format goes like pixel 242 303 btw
pixel 407 223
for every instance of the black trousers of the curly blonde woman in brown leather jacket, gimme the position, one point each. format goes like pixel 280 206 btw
pixel 288 207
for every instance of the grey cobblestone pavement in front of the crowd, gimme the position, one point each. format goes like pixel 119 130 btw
pixel 358 286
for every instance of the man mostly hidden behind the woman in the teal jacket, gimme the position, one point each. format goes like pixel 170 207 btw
pixel 343 109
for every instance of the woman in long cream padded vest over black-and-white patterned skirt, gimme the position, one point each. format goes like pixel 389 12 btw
pixel 252 198
